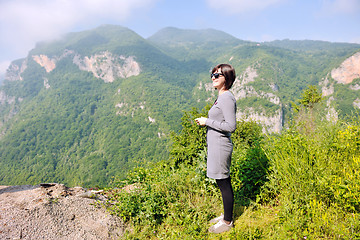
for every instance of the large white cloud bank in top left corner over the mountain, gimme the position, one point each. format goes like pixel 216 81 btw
pixel 25 22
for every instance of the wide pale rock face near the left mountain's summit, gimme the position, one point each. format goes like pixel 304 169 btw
pixel 107 66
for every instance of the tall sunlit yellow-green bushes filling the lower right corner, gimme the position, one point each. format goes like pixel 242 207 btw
pixel 314 180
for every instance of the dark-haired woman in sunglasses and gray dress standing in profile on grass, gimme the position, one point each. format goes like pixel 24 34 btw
pixel 221 122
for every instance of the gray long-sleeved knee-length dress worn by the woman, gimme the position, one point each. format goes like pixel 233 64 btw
pixel 220 124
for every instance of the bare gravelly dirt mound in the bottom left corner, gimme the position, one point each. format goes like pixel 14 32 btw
pixel 53 211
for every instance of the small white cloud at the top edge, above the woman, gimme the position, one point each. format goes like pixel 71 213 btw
pixel 242 6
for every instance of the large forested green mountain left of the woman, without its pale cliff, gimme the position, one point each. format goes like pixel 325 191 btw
pixel 82 130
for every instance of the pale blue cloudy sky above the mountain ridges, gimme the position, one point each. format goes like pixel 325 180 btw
pixel 23 23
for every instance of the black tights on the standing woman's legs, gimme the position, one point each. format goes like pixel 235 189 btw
pixel 227 196
